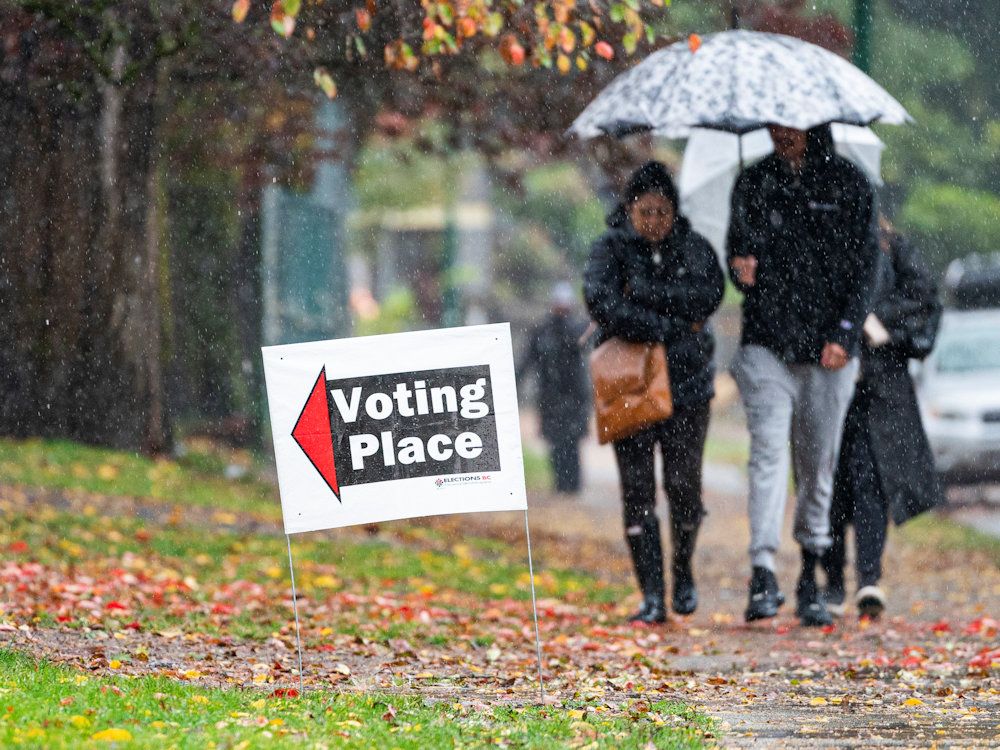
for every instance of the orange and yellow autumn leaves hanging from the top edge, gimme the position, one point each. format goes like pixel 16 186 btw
pixel 560 34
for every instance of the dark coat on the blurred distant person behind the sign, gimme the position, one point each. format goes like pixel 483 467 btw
pixel 555 353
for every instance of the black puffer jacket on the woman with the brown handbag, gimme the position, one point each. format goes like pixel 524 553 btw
pixel 634 297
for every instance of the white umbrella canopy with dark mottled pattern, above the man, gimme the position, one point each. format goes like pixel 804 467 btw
pixel 737 81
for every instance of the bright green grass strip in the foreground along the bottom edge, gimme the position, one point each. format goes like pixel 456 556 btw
pixel 53 707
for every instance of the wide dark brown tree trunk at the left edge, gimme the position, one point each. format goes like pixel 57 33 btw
pixel 79 263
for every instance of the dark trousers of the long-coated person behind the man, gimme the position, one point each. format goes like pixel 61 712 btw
pixel 864 506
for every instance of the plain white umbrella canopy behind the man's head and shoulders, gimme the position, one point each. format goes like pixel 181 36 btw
pixel 712 162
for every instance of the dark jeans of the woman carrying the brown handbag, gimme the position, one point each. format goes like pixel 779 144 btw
pixel 682 443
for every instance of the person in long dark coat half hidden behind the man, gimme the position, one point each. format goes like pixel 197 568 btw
pixel 886 468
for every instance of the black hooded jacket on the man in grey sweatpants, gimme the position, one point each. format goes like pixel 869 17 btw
pixel 813 234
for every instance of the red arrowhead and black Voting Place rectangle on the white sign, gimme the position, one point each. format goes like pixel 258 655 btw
pixel 381 428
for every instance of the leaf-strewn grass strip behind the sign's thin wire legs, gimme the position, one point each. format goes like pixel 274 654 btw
pixel 193 561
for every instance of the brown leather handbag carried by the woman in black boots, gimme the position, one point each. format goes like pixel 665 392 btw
pixel 631 387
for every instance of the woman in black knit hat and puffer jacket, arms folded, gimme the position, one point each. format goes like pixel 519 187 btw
pixel 651 278
